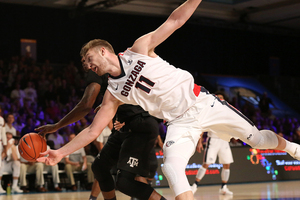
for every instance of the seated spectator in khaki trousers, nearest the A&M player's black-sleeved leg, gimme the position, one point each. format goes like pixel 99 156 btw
pixel 77 161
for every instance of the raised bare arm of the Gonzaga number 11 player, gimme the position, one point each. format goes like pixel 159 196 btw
pixel 147 43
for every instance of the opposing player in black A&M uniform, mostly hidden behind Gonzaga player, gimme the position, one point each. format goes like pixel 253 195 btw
pixel 132 145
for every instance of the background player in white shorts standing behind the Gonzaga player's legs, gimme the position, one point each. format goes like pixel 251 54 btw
pixel 215 147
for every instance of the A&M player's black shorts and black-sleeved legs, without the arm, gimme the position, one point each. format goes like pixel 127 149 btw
pixel 129 148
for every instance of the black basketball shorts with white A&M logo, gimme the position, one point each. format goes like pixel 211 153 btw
pixel 131 149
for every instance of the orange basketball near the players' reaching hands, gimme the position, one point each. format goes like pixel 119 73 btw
pixel 31 145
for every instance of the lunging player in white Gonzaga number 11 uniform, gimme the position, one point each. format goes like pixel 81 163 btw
pixel 140 77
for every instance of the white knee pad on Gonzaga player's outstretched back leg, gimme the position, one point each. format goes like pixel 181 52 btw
pixel 266 139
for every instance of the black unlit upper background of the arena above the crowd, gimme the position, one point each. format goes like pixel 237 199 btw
pixel 197 48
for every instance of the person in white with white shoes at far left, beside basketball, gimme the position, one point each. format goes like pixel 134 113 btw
pixel 11 164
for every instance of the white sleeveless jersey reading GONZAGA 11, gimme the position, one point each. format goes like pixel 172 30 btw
pixel 158 87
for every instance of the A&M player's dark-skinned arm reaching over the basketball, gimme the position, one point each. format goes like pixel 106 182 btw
pixel 79 111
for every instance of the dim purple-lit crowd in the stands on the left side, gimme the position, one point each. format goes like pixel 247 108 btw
pixel 40 94
